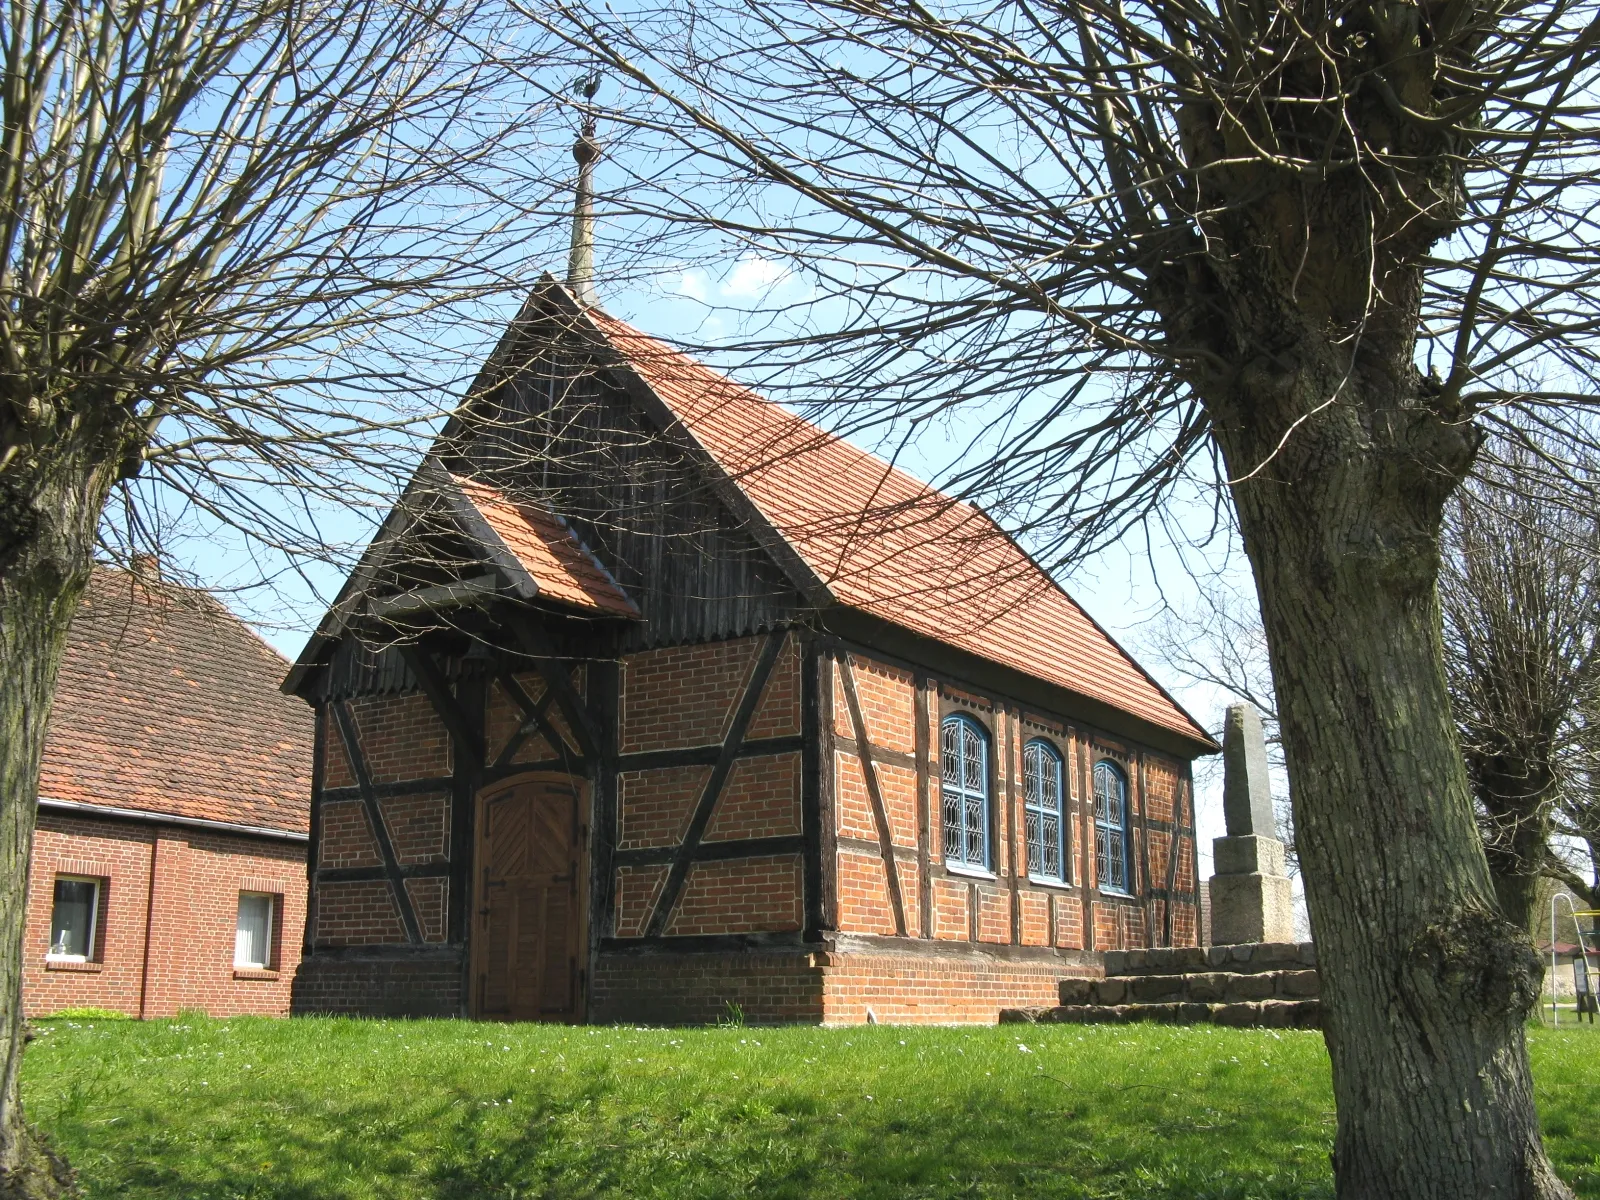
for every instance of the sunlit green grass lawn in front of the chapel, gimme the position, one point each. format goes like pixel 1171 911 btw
pixel 330 1110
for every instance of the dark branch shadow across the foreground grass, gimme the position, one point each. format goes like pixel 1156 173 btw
pixel 785 1145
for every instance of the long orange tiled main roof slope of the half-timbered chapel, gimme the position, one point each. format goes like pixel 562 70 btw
pixel 889 545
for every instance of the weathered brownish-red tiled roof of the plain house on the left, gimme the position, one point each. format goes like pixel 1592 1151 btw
pixel 170 705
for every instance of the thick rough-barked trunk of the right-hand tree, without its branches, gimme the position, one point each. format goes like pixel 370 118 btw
pixel 1426 985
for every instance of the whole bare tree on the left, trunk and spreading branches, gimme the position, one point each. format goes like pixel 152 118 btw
pixel 210 207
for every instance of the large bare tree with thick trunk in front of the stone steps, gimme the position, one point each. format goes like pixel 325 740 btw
pixel 1306 252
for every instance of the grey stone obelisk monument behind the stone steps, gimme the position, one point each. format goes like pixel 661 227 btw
pixel 1250 890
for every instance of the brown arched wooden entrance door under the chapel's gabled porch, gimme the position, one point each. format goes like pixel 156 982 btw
pixel 529 932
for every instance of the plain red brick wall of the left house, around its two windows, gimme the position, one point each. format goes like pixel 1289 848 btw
pixel 183 958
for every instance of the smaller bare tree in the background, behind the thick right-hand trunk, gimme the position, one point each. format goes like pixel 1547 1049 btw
pixel 1521 596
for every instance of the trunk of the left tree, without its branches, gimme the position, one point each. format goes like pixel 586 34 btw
pixel 46 558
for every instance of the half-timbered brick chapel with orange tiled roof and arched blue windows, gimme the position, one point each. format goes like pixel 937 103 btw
pixel 652 698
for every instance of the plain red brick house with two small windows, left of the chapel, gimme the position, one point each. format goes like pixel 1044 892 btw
pixel 169 870
